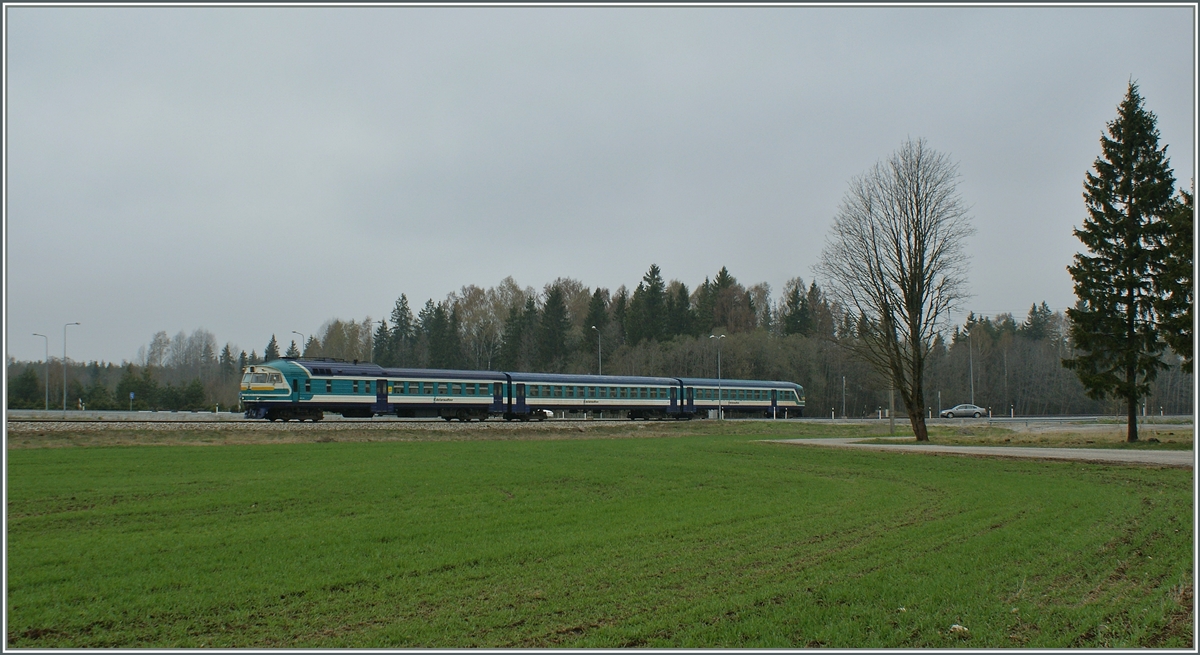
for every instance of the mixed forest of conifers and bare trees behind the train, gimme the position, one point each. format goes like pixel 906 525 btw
pixel 657 329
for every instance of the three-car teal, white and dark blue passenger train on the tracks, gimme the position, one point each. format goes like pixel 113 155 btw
pixel 304 389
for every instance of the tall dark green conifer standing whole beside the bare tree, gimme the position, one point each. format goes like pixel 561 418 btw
pixel 1113 323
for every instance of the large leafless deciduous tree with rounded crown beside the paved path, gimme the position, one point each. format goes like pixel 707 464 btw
pixel 895 257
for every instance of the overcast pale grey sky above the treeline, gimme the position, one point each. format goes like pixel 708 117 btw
pixel 255 171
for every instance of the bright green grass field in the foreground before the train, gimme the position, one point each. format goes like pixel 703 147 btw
pixel 689 542
